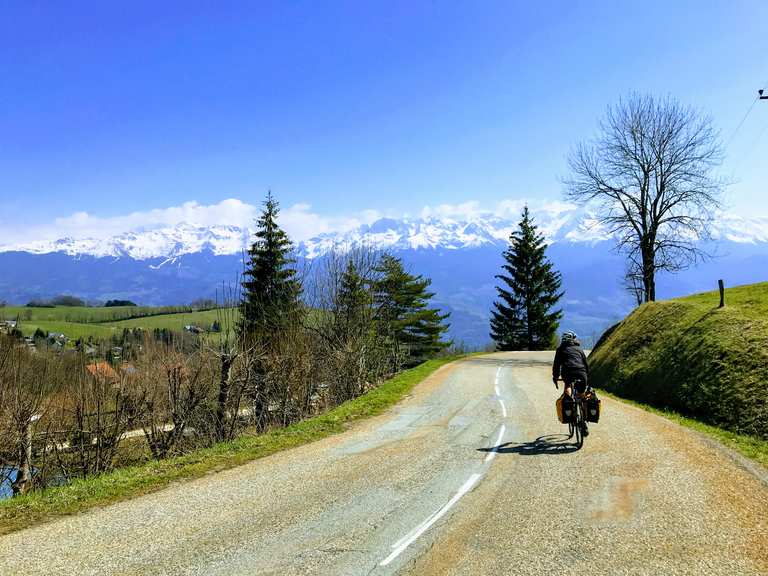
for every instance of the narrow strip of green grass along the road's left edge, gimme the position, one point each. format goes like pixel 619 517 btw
pixel 124 483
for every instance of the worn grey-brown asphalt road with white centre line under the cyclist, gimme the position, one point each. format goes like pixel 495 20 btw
pixel 471 474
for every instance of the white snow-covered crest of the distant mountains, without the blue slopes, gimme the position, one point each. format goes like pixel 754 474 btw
pixel 570 226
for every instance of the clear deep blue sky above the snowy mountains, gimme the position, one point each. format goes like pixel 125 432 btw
pixel 339 108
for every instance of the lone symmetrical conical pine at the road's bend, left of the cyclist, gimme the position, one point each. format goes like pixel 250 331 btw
pixel 523 317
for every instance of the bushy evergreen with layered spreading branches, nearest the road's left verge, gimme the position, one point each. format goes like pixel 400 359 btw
pixel 403 313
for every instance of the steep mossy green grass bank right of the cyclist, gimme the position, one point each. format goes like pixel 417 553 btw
pixel 692 357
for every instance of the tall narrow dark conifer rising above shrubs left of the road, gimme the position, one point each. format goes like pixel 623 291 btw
pixel 271 290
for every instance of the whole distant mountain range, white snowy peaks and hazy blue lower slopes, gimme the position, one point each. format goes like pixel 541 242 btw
pixel 178 264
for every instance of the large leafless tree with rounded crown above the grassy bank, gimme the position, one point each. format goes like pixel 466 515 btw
pixel 649 173
